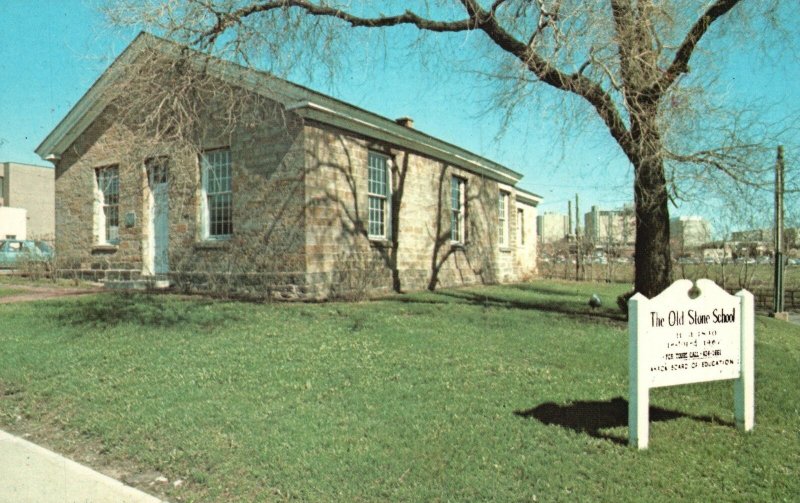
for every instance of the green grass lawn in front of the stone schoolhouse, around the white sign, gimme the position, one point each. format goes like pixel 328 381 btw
pixel 515 393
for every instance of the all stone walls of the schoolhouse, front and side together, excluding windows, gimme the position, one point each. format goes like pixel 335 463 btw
pixel 299 213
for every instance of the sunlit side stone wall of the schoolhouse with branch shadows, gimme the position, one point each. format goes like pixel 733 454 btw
pixel 419 253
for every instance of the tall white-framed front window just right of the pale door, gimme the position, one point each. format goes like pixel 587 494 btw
pixel 217 198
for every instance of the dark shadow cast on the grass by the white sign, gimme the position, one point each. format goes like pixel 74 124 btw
pixel 593 416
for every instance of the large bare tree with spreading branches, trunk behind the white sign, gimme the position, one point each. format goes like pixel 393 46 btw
pixel 627 61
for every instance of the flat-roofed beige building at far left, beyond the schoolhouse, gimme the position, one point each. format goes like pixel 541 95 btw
pixel 31 188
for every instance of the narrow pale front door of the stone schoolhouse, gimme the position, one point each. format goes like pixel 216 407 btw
pixel 159 216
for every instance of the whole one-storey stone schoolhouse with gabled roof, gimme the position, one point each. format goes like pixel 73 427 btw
pixel 309 197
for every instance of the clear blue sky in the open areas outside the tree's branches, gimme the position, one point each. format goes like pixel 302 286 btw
pixel 51 51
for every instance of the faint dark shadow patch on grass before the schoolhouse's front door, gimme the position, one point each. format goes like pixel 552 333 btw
pixel 146 310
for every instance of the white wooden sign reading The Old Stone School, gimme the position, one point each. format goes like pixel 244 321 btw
pixel 676 339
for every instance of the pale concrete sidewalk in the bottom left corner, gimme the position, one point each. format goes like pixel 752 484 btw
pixel 32 474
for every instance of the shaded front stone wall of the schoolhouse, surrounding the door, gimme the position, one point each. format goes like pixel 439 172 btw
pixel 266 253
